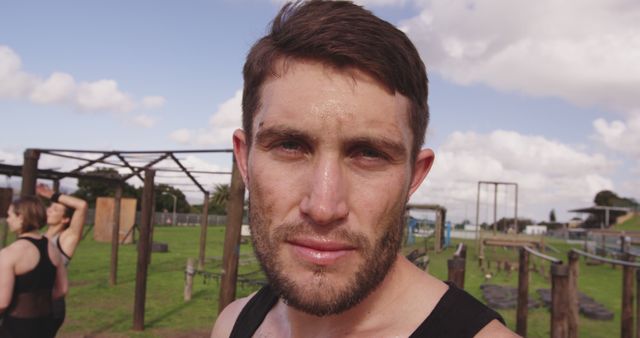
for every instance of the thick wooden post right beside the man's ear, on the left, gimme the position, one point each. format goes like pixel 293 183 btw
pixel 232 240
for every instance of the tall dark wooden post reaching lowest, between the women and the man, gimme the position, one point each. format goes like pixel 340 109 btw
pixel 143 250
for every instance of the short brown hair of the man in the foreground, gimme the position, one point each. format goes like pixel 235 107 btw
pixel 343 35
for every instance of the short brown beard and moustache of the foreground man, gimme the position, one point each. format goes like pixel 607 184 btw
pixel 325 295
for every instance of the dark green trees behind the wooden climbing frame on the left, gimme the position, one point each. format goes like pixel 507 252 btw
pixel 90 190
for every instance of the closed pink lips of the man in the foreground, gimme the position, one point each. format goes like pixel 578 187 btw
pixel 320 252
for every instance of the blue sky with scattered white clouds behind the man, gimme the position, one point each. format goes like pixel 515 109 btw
pixel 541 93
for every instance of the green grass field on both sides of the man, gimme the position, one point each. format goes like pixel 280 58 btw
pixel 94 309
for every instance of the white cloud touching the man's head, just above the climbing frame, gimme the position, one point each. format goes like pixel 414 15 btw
pixel 222 124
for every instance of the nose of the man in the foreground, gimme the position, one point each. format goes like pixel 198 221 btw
pixel 325 202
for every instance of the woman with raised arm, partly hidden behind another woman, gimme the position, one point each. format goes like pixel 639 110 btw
pixel 66 217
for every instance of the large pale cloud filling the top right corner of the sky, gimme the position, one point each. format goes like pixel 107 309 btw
pixel 585 52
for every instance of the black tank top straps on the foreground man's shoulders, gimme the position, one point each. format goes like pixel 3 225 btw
pixel 457 315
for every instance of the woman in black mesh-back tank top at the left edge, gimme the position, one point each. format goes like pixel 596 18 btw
pixel 32 274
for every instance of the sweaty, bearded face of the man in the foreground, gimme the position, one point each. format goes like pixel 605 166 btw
pixel 329 173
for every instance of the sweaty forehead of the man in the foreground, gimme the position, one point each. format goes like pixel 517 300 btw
pixel 331 100
